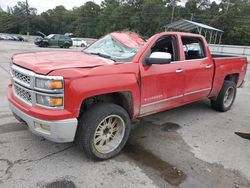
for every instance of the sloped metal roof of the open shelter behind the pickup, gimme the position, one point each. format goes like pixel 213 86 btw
pixel 188 26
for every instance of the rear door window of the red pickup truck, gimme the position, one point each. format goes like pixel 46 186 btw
pixel 193 48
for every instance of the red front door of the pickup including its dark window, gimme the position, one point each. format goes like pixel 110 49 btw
pixel 162 85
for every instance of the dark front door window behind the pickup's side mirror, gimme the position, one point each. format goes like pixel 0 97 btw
pixel 166 44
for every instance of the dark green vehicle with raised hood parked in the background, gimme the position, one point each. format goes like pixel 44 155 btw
pixel 61 41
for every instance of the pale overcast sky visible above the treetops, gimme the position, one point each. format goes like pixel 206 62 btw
pixel 43 5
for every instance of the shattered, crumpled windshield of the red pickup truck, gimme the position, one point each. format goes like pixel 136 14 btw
pixel 110 47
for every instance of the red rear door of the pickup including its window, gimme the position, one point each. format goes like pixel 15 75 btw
pixel 198 68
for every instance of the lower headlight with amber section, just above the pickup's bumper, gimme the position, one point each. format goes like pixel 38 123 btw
pixel 49 101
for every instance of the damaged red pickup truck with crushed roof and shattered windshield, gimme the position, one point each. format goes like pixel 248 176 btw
pixel 92 96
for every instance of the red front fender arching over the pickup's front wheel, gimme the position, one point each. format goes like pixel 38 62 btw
pixel 93 86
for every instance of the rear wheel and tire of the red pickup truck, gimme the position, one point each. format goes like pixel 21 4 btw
pixel 228 91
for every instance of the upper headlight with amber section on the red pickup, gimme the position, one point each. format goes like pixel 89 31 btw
pixel 49 84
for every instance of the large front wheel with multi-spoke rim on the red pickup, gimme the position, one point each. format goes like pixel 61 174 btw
pixel 94 126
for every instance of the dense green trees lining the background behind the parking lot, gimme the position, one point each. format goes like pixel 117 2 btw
pixel 145 17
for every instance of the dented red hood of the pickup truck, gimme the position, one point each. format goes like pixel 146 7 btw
pixel 45 62
